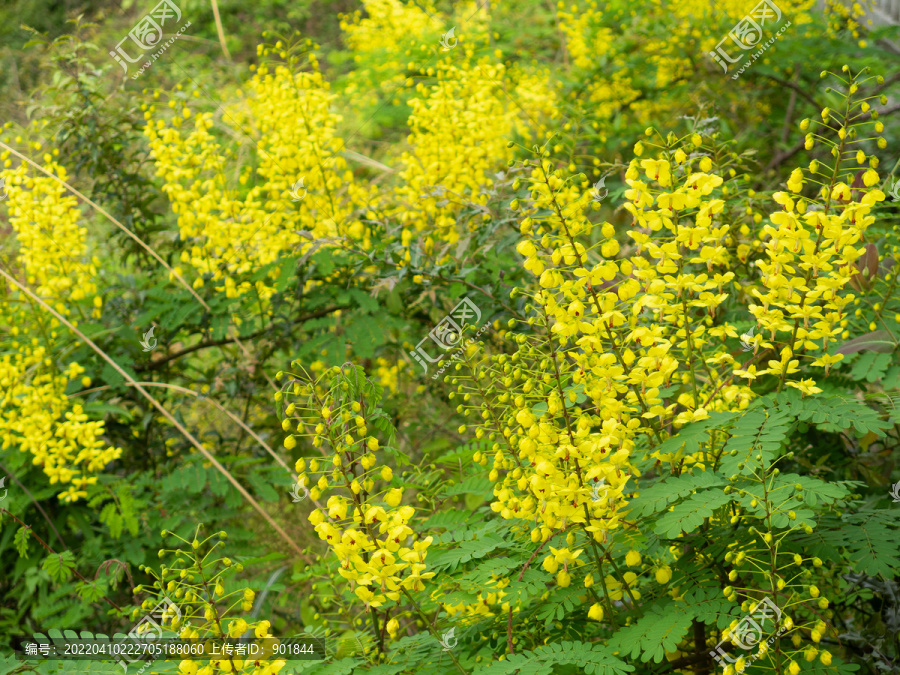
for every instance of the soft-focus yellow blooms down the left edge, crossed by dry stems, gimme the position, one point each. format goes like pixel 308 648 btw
pixel 35 414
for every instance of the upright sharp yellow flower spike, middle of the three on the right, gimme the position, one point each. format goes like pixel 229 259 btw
pixel 688 247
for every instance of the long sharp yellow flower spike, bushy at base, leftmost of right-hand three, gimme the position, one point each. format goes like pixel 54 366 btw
pixel 556 473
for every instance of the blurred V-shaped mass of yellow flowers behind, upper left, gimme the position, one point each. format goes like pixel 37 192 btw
pixel 231 235
